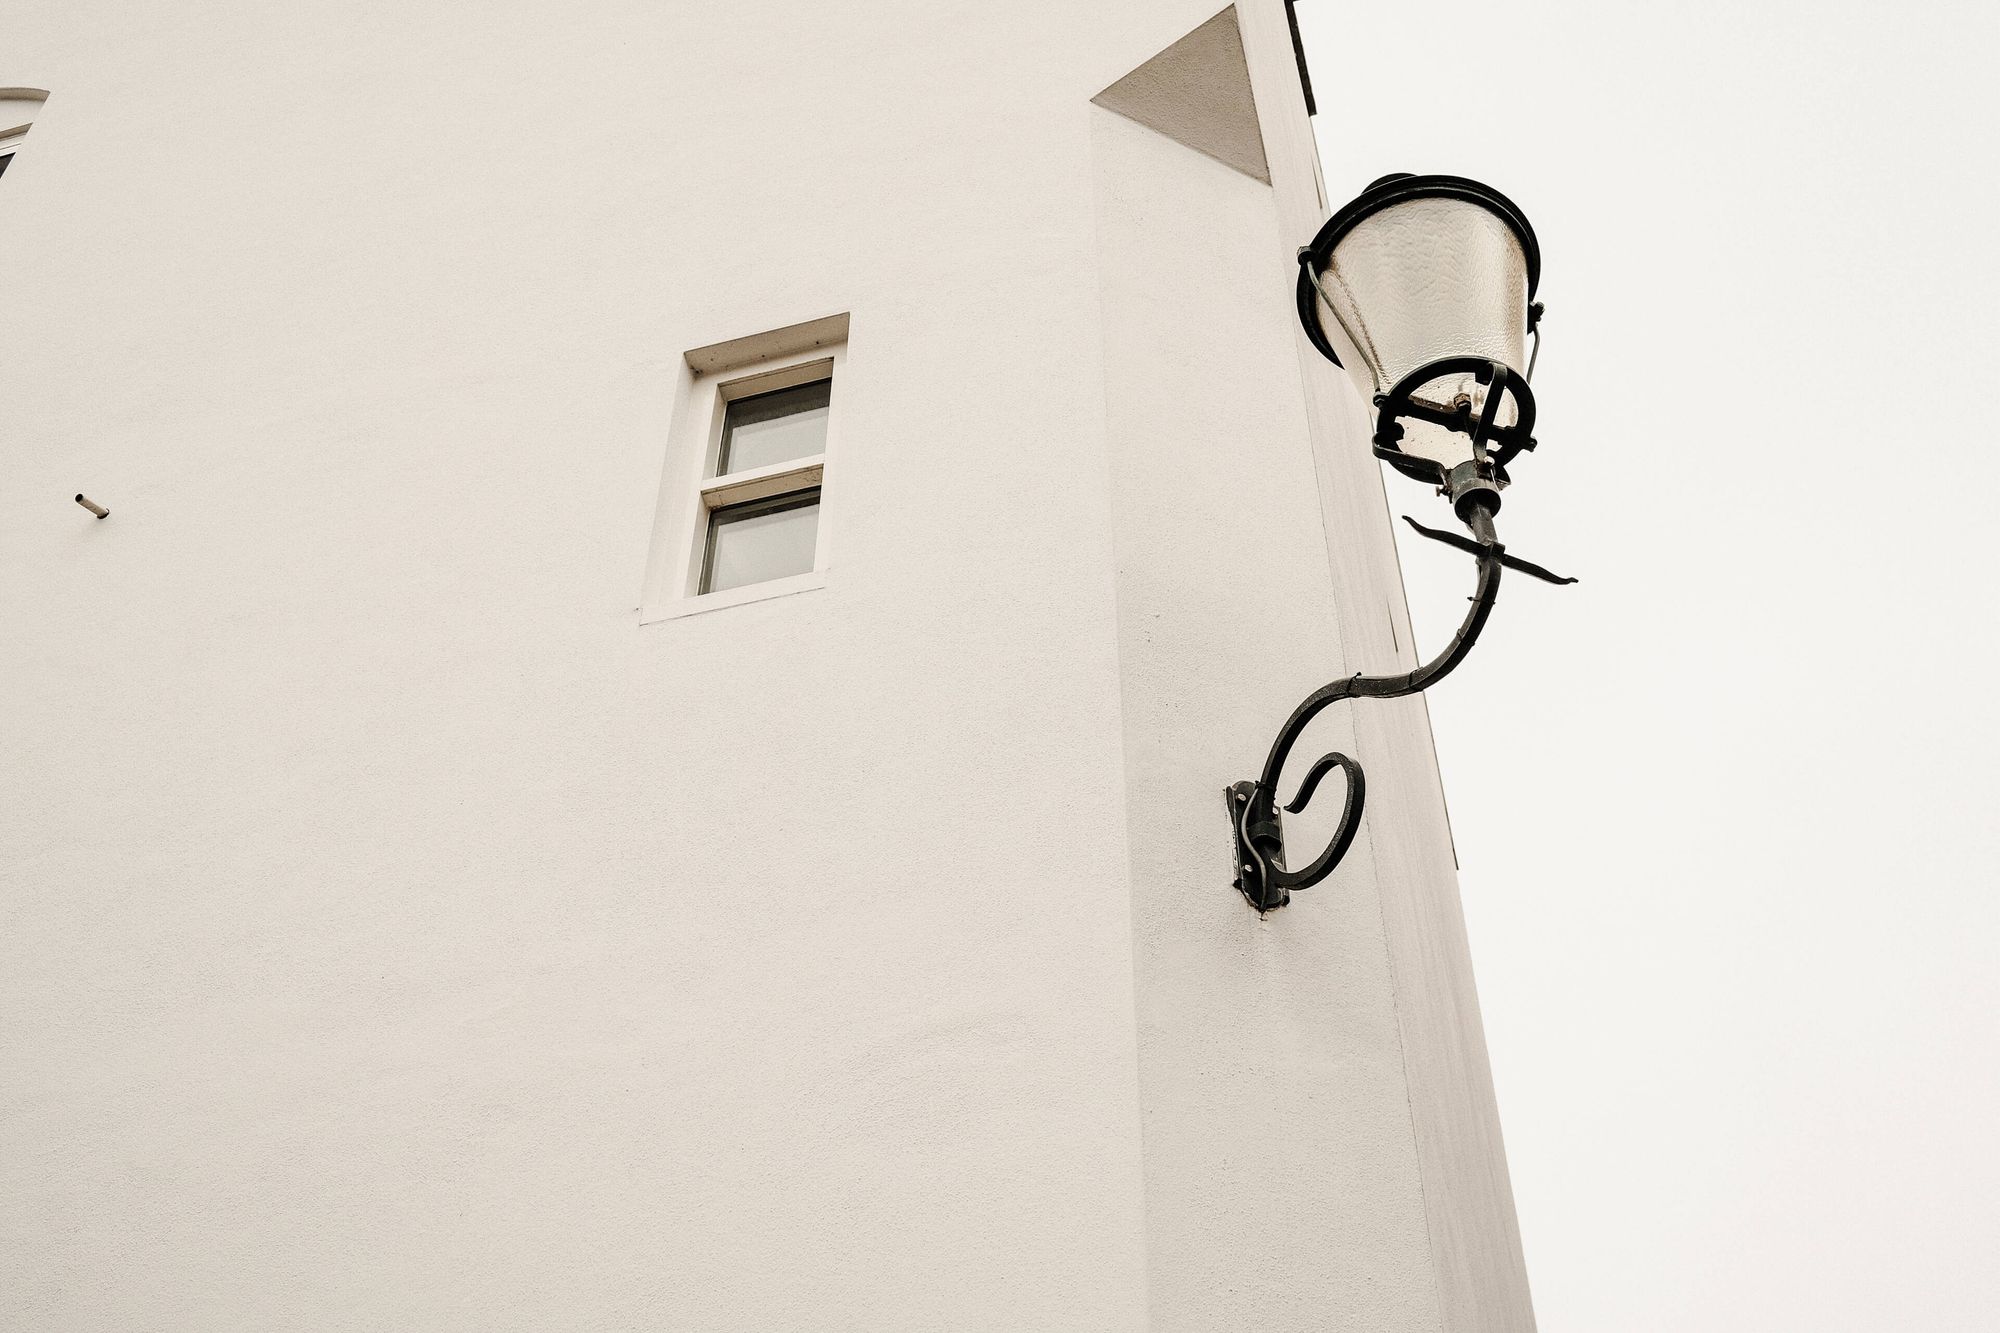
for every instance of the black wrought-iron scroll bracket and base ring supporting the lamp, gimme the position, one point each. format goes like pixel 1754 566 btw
pixel 1261 866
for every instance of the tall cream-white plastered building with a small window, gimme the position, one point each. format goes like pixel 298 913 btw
pixel 429 910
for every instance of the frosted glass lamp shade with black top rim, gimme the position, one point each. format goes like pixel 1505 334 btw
pixel 1415 271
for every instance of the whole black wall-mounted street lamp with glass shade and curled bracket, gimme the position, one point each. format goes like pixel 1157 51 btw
pixel 1423 291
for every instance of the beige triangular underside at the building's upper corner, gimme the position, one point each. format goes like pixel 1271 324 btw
pixel 1199 95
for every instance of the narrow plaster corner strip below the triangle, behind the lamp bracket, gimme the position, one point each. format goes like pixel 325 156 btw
pixel 1271 1066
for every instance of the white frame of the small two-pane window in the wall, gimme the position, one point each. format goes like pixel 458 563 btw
pixel 693 491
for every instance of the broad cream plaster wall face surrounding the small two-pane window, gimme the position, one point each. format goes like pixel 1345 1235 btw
pixel 399 934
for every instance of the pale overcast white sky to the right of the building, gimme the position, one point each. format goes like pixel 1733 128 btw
pixel 1727 810
